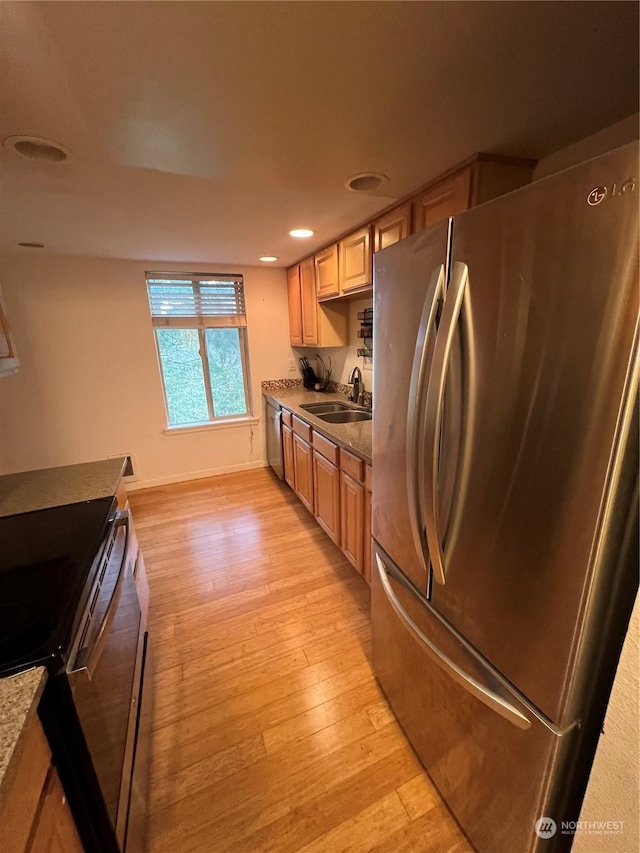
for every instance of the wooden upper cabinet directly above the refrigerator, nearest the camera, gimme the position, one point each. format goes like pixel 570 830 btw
pixel 480 179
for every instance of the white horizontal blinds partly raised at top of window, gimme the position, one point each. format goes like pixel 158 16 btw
pixel 203 300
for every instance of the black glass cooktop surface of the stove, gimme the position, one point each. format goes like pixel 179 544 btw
pixel 46 559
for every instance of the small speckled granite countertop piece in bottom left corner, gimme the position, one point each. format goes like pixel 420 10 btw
pixel 19 697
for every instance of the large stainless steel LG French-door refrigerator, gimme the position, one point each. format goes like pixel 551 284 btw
pixel 505 493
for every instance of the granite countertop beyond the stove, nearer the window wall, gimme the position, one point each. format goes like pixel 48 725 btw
pixel 32 490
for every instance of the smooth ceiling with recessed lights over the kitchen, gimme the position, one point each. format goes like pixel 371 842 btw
pixel 204 131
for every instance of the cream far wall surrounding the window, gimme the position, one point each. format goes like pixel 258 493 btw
pixel 89 385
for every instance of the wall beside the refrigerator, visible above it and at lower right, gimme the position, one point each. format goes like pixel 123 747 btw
pixel 614 783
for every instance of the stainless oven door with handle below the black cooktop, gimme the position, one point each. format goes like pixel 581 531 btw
pixel 105 674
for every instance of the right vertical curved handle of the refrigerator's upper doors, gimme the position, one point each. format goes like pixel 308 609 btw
pixel 433 415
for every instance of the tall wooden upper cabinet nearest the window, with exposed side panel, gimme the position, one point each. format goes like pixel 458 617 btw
pixel 311 324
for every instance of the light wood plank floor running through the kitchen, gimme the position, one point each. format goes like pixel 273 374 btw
pixel 270 731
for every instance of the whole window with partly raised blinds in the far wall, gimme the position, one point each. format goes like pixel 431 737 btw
pixel 201 335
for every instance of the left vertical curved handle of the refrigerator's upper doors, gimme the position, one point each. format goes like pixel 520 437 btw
pixel 417 389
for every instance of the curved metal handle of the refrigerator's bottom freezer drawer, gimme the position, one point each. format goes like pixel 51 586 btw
pixel 480 691
